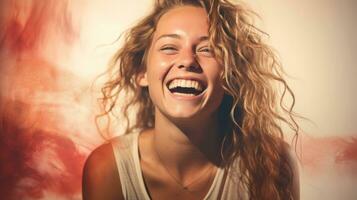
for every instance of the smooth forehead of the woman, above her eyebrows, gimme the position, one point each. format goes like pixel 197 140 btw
pixel 187 19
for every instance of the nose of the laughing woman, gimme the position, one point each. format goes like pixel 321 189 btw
pixel 188 60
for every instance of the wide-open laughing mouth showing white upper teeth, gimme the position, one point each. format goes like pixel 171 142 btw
pixel 186 87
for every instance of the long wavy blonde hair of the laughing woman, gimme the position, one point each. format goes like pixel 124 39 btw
pixel 252 108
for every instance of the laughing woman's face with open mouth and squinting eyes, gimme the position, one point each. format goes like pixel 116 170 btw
pixel 182 75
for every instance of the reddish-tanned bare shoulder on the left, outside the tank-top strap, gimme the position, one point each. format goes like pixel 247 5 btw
pixel 100 175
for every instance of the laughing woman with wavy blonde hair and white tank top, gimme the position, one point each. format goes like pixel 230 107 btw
pixel 208 120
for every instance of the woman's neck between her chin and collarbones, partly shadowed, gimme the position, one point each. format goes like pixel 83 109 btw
pixel 185 147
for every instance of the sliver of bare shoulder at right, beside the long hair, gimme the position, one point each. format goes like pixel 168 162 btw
pixel 290 156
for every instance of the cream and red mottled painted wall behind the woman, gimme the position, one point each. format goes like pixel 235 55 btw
pixel 52 51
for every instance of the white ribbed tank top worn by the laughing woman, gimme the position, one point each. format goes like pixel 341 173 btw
pixel 126 154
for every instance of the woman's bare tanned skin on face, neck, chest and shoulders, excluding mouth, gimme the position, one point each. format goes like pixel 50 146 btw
pixel 186 133
